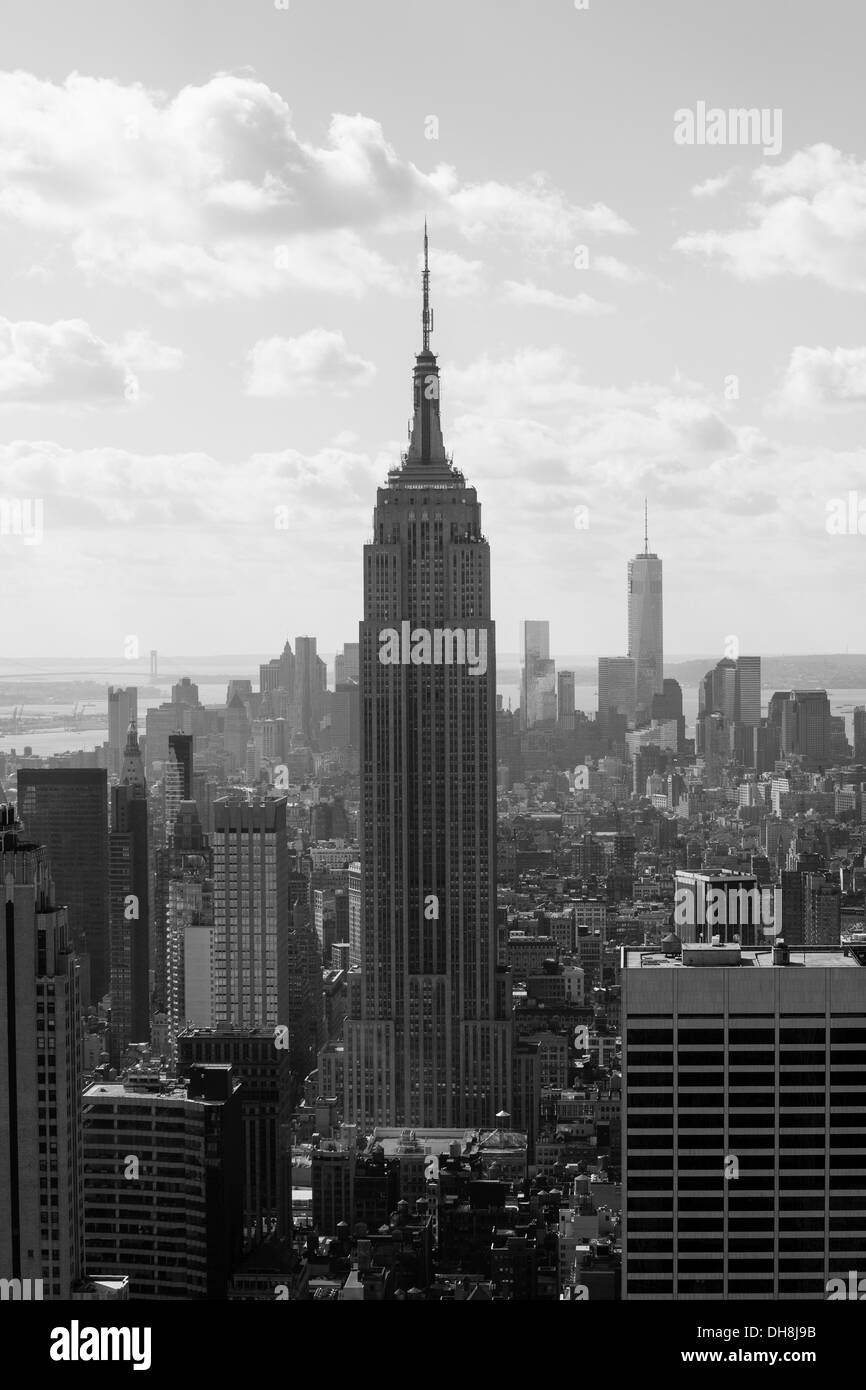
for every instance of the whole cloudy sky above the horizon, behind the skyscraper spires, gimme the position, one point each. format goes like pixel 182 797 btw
pixel 211 237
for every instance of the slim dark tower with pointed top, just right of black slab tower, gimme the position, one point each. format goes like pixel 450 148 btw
pixel 130 904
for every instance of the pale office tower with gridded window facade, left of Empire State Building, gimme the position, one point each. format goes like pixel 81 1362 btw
pixel 251 910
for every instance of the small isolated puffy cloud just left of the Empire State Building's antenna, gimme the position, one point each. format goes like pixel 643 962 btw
pixel 300 366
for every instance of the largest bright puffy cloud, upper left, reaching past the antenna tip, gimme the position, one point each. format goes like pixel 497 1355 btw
pixel 212 193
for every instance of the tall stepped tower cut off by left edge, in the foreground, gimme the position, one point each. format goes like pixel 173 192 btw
pixel 41 1075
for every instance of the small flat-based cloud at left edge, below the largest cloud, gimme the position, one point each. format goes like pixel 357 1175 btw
pixel 66 362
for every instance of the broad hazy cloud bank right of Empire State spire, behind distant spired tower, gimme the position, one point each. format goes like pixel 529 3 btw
pixel 544 440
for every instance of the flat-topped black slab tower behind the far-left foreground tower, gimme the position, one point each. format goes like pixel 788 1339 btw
pixel 67 811
